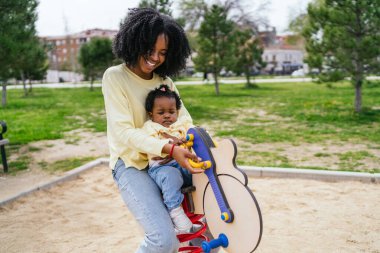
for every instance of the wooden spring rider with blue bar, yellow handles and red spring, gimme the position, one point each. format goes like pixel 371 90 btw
pixel 220 195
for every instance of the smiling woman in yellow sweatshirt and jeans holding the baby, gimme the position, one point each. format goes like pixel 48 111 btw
pixel 153 47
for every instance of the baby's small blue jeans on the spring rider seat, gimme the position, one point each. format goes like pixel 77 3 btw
pixel 170 178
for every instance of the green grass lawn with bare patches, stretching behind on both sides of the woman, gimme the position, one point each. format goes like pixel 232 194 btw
pixel 281 116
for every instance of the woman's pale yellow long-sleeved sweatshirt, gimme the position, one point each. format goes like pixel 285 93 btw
pixel 124 98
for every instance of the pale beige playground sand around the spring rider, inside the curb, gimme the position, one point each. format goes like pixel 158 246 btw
pixel 88 215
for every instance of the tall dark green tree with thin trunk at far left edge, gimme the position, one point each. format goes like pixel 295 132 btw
pixel 17 29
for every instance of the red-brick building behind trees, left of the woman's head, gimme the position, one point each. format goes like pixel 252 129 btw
pixel 63 51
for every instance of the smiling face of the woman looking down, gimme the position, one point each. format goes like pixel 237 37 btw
pixel 148 63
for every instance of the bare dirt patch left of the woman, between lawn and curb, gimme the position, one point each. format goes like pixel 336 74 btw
pixel 76 144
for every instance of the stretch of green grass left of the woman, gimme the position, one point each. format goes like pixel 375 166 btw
pixel 48 113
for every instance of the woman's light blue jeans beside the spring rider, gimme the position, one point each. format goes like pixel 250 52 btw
pixel 143 198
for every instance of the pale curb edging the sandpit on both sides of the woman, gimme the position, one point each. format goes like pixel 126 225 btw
pixel 322 175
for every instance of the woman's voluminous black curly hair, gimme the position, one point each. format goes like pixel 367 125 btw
pixel 138 34
